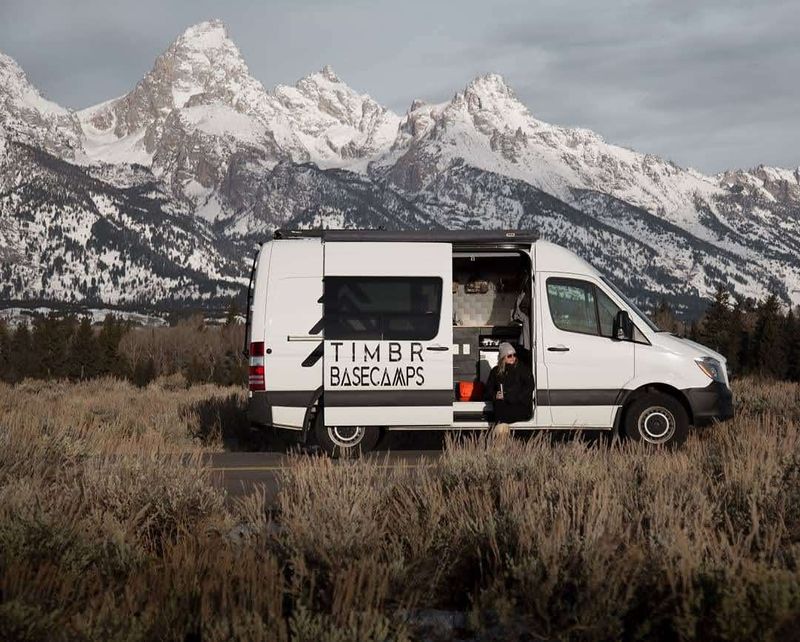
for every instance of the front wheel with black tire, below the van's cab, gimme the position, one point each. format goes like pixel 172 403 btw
pixel 657 419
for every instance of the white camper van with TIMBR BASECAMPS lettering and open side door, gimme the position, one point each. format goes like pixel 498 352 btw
pixel 352 333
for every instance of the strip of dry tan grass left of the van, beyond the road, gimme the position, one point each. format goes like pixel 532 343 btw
pixel 110 416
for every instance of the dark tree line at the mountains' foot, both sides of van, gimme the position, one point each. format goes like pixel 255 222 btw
pixel 757 337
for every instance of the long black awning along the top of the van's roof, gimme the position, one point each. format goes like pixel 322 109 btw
pixel 473 237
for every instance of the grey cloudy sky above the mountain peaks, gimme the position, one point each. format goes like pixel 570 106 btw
pixel 709 84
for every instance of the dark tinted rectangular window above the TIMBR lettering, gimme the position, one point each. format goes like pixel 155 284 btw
pixel 382 308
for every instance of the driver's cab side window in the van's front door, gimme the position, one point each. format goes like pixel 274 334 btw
pixel 580 306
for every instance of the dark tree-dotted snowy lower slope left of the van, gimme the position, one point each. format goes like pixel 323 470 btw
pixel 69 236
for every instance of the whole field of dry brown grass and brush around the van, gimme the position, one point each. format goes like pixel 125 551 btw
pixel 529 539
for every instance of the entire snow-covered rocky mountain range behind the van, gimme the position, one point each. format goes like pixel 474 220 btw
pixel 225 161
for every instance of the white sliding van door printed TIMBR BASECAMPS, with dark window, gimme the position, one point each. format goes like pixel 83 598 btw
pixel 388 311
